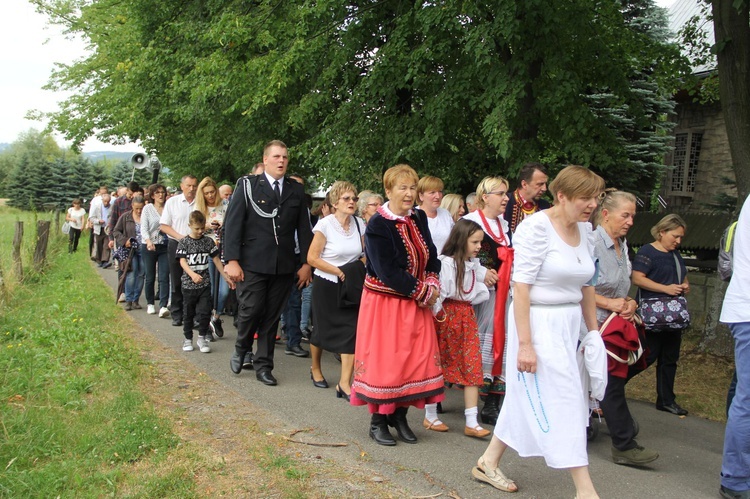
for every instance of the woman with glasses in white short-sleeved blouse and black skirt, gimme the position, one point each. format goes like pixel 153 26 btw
pixel 337 243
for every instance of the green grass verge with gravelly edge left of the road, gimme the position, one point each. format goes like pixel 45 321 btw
pixel 91 405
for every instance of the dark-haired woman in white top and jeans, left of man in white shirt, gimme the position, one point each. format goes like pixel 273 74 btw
pixel 154 251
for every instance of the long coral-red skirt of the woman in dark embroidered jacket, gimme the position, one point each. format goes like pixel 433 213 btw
pixel 396 359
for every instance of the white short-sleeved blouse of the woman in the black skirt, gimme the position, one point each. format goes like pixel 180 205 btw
pixel 341 247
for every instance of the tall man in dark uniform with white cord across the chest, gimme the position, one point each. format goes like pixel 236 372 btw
pixel 260 223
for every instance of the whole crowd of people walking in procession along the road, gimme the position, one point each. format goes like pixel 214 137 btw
pixel 517 301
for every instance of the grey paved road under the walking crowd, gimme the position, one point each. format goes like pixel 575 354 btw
pixel 690 448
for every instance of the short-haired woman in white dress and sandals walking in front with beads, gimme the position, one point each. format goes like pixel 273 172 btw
pixel 545 413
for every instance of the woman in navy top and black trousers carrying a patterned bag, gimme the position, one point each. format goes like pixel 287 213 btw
pixel 660 272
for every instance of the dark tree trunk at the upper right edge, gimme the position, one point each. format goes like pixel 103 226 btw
pixel 732 32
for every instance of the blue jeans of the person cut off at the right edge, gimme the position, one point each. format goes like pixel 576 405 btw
pixel 735 466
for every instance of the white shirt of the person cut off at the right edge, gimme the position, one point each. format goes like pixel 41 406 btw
pixel 736 307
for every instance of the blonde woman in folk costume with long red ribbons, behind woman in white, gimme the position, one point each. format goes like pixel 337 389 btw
pixel 496 255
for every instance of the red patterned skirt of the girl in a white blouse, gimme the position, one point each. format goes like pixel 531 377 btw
pixel 458 338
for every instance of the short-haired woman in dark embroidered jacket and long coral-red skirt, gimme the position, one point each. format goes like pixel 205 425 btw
pixel 396 359
